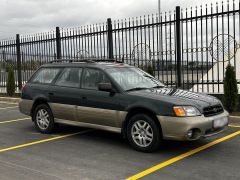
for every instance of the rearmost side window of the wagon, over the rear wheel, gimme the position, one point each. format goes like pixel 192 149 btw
pixel 45 75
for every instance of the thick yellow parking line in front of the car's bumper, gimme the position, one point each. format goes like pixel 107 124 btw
pixel 182 156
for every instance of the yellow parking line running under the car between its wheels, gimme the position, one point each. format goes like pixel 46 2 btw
pixel 42 141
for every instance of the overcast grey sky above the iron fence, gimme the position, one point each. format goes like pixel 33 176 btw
pixel 33 16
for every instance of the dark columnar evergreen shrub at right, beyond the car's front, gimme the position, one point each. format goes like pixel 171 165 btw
pixel 230 89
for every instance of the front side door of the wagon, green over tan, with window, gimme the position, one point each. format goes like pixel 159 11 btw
pixel 98 107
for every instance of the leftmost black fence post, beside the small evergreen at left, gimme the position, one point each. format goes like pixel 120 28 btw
pixel 19 64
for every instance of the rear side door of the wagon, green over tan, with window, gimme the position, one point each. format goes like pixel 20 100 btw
pixel 64 94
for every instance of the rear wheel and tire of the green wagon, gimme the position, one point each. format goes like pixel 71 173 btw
pixel 43 119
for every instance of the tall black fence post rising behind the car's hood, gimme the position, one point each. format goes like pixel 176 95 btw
pixel 178 47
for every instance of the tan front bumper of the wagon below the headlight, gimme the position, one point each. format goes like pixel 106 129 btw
pixel 177 128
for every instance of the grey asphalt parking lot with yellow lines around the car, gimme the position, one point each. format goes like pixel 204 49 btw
pixel 79 153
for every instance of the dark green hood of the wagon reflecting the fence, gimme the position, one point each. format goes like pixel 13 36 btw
pixel 178 97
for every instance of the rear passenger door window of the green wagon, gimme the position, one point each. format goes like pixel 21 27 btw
pixel 70 77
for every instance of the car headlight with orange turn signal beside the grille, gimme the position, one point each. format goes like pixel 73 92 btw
pixel 186 111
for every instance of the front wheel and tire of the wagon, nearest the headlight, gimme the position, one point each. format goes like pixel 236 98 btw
pixel 143 133
